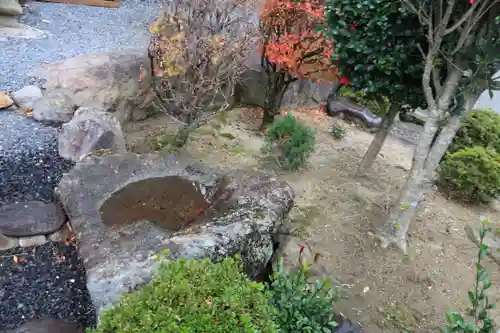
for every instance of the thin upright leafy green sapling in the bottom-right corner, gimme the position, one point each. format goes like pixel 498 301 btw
pixel 479 303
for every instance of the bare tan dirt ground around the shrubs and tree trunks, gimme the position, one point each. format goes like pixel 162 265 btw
pixel 338 213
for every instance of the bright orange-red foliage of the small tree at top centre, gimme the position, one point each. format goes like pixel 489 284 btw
pixel 293 40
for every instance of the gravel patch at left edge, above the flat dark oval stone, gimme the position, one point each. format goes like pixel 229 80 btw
pixel 30 166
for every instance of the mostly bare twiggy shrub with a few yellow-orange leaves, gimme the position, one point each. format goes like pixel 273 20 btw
pixel 199 49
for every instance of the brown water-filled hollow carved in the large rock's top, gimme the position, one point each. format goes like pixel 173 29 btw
pixel 171 202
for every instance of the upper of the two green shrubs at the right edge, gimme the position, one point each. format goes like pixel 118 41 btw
pixel 480 128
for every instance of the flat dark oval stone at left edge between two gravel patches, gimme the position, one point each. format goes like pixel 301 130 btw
pixel 31 218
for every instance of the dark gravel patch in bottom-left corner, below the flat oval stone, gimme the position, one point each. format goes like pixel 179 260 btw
pixel 47 281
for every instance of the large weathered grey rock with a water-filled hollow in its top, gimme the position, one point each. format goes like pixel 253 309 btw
pixel 194 212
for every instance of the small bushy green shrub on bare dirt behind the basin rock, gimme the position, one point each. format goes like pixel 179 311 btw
pixel 290 142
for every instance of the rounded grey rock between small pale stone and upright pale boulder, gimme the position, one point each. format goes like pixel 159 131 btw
pixel 56 106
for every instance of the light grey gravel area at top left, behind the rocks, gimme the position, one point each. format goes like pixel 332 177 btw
pixel 73 30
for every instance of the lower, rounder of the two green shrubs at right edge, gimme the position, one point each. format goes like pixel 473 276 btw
pixel 471 174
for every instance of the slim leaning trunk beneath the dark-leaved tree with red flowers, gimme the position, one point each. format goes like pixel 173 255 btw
pixel 379 139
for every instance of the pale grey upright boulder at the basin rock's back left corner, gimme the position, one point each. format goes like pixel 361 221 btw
pixel 88 131
